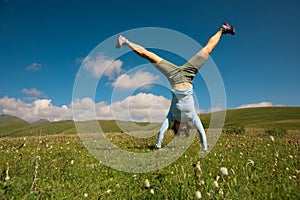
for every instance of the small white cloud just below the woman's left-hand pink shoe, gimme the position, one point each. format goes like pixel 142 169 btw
pixel 102 65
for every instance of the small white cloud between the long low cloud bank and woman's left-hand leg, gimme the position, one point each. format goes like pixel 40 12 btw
pixel 140 79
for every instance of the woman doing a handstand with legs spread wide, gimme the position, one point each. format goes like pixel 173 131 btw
pixel 181 78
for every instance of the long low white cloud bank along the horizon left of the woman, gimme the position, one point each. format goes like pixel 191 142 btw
pixel 141 107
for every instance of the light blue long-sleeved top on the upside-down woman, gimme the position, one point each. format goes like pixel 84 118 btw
pixel 183 110
